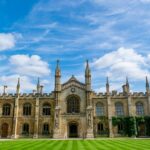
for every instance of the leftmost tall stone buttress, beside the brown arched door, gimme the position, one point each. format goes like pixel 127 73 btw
pixel 15 119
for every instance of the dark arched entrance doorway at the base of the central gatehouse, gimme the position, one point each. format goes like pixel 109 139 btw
pixel 73 130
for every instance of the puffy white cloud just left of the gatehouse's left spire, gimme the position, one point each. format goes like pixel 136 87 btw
pixel 31 66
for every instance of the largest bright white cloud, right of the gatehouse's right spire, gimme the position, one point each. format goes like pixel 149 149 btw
pixel 123 62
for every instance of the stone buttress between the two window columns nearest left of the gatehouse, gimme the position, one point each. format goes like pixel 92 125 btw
pixel 36 122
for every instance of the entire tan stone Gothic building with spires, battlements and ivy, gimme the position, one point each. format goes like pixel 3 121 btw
pixel 74 110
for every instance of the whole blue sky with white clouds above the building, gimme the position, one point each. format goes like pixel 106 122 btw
pixel 113 35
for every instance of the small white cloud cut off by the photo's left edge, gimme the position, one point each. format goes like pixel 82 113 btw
pixel 7 41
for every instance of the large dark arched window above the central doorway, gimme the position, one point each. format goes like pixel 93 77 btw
pixel 73 105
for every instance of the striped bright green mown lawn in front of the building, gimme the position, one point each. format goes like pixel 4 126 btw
pixel 102 144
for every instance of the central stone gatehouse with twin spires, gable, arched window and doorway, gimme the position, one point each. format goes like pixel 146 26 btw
pixel 73 106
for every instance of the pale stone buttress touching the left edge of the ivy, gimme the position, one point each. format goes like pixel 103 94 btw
pixel 109 116
